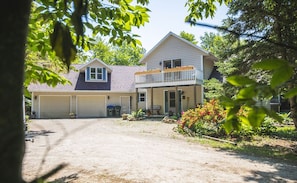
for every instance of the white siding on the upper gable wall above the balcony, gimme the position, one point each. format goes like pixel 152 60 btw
pixel 174 48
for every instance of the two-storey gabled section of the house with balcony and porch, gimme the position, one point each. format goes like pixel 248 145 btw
pixel 175 70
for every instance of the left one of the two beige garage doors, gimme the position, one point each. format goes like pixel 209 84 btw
pixel 54 106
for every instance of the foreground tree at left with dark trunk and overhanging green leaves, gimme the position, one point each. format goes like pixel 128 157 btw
pixel 114 19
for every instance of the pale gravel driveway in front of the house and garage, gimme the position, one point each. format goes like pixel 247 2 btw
pixel 113 150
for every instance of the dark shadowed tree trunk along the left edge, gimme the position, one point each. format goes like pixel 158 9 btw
pixel 14 17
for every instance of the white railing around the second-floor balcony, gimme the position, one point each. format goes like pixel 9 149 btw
pixel 166 77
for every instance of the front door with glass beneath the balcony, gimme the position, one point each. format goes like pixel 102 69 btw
pixel 171 100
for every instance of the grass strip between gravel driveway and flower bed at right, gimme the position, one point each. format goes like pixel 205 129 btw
pixel 280 145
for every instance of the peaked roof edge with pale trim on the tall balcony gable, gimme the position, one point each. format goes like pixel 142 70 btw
pixel 171 34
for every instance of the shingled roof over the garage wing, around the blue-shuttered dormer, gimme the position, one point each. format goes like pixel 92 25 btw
pixel 121 79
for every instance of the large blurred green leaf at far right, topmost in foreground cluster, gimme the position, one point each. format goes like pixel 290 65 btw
pixel 281 75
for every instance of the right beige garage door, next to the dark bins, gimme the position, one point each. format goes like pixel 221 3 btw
pixel 91 106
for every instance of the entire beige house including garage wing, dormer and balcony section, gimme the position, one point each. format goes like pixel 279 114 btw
pixel 170 81
